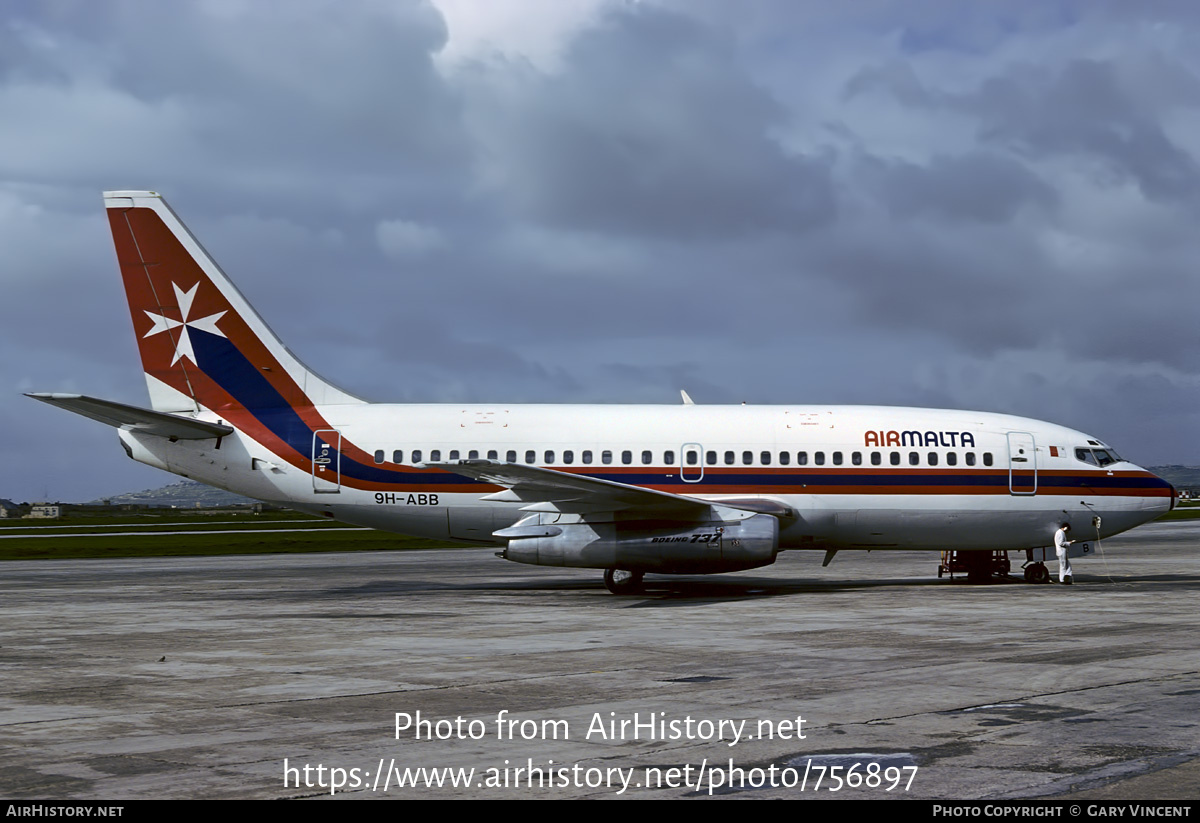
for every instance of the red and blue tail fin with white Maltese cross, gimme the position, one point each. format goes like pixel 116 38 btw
pixel 202 345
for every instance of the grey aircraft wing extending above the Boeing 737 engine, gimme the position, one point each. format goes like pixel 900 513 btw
pixel 549 490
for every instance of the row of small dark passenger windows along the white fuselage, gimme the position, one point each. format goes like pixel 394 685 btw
pixel 692 458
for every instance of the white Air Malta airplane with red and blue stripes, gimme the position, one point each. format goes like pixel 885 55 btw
pixel 676 490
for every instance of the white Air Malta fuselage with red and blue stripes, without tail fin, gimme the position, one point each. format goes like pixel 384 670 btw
pixel 854 477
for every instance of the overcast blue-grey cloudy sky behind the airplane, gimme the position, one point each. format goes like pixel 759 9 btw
pixel 991 206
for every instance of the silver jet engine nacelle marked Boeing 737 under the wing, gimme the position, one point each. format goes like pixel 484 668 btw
pixel 731 543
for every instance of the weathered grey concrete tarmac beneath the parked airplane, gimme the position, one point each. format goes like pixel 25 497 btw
pixel 226 677
